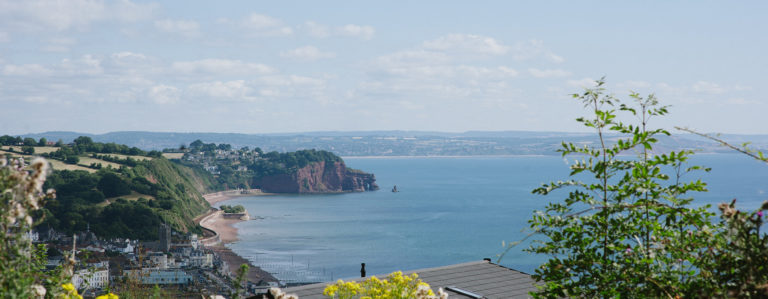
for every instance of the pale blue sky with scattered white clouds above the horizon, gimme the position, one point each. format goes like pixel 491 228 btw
pixel 296 66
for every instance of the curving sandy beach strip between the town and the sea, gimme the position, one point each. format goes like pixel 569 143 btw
pixel 227 233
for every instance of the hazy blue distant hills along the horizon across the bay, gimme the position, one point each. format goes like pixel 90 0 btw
pixel 396 143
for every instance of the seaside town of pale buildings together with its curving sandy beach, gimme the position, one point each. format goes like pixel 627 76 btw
pixel 182 264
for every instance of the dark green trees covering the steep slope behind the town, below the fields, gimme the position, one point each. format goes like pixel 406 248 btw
pixel 177 201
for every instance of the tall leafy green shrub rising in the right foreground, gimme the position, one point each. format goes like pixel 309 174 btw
pixel 626 227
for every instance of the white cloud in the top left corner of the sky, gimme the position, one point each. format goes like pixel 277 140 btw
pixel 52 15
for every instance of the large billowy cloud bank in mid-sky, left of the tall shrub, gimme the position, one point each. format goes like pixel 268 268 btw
pixel 444 68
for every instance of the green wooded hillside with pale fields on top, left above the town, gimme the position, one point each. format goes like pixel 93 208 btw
pixel 117 191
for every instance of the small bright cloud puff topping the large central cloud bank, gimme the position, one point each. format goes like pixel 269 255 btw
pixel 466 43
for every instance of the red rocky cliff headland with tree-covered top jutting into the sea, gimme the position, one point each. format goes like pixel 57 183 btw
pixel 319 177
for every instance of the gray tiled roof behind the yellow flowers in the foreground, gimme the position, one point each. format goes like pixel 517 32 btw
pixel 482 278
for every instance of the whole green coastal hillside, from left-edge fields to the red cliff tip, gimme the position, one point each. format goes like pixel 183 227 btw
pixel 115 190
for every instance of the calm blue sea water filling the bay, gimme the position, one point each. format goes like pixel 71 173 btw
pixel 449 210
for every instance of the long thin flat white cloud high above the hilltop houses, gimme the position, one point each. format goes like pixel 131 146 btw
pixel 222 66
